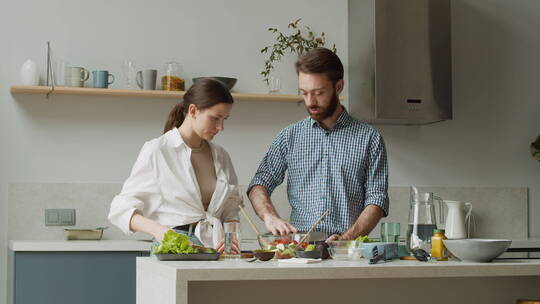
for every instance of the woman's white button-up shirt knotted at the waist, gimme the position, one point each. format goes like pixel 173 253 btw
pixel 164 188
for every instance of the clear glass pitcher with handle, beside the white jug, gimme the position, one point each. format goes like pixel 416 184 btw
pixel 422 219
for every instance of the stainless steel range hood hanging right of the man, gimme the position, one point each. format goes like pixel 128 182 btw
pixel 400 66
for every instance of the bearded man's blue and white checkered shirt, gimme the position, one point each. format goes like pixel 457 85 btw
pixel 343 169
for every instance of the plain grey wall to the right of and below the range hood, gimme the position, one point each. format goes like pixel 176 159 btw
pixel 496 76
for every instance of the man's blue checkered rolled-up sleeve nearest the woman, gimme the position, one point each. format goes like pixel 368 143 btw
pixel 271 171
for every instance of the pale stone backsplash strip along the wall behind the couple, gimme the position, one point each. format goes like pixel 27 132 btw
pixel 501 212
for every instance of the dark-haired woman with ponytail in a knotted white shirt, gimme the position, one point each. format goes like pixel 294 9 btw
pixel 181 180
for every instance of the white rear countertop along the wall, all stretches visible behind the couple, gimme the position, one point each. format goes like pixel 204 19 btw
pixel 132 245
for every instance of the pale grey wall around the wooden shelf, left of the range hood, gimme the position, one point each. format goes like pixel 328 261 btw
pixel 90 139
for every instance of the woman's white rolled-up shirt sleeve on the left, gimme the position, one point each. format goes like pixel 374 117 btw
pixel 139 191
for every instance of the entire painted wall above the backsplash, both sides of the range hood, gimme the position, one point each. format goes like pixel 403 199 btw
pixel 496 92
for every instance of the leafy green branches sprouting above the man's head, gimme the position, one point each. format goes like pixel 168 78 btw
pixel 298 42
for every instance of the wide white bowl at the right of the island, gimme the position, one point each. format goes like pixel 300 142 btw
pixel 477 250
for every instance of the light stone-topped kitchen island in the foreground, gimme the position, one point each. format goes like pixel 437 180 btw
pixel 397 281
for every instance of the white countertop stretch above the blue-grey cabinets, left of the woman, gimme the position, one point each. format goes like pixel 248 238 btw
pixel 64 245
